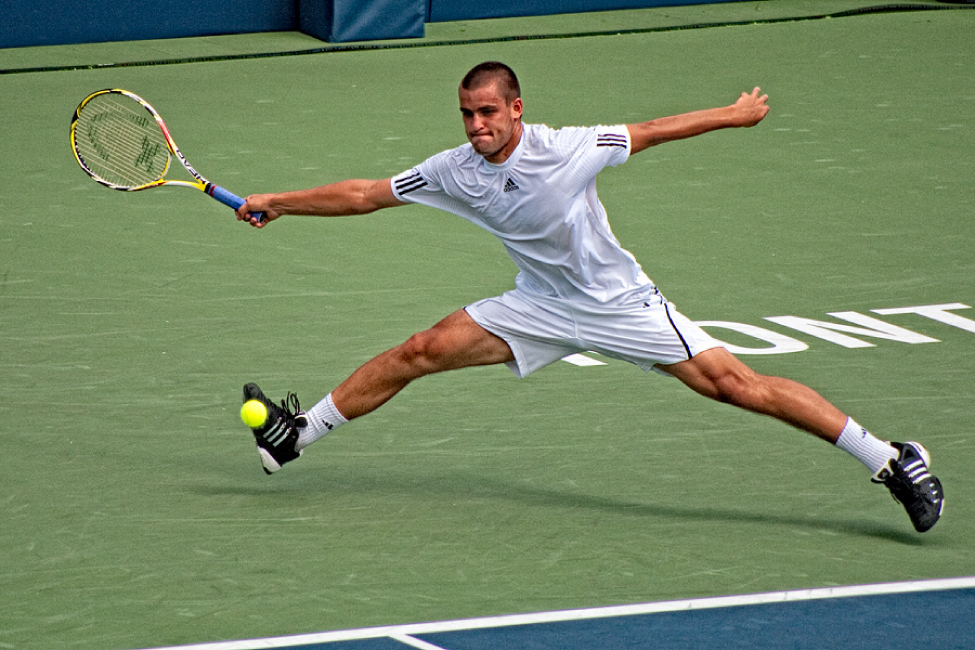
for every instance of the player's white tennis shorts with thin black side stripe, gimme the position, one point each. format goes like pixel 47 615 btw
pixel 540 331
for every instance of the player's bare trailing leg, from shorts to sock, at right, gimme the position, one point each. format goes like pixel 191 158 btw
pixel 717 374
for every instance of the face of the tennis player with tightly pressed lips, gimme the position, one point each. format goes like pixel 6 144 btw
pixel 493 126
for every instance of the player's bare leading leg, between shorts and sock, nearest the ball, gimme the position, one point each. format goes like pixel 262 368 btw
pixel 453 343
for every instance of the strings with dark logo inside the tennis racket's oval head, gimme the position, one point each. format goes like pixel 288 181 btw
pixel 120 142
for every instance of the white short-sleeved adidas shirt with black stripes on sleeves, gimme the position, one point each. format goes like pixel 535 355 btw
pixel 542 204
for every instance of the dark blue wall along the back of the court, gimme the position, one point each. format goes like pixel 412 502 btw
pixel 54 22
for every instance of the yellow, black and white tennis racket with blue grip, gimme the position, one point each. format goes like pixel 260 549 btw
pixel 123 143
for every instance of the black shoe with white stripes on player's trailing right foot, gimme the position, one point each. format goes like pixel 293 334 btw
pixel 912 484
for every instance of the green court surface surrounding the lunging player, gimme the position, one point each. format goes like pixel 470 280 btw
pixel 135 512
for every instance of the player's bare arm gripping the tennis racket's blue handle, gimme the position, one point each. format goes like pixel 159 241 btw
pixel 334 200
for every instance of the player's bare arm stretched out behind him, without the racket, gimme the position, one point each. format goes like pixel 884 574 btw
pixel 747 111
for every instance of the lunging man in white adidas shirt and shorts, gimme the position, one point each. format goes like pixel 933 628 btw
pixel 577 289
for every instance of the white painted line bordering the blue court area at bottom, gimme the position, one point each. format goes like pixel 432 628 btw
pixel 404 632
